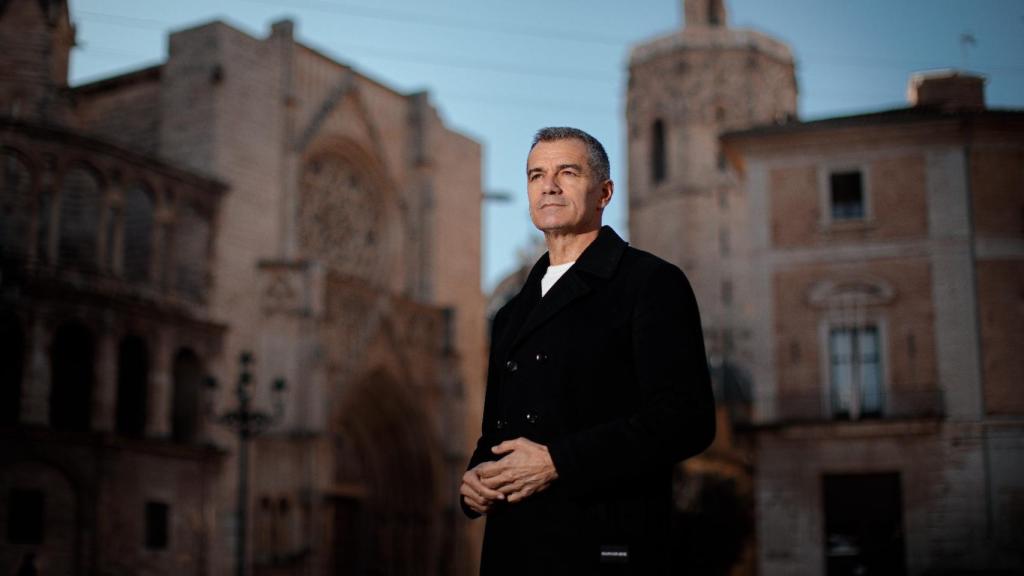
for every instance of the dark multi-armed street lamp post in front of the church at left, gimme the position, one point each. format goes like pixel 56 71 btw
pixel 247 423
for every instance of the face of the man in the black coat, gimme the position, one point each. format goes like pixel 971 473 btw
pixel 565 194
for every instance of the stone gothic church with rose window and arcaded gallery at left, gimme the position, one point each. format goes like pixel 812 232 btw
pixel 246 195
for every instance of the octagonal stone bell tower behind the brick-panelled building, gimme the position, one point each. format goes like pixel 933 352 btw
pixel 687 204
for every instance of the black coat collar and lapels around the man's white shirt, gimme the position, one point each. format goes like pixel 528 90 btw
pixel 598 263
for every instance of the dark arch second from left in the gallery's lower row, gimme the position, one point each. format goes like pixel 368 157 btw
pixel 73 374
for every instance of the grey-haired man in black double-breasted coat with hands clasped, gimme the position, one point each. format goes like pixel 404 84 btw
pixel 598 386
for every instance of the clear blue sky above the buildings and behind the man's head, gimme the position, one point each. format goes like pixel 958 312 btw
pixel 499 70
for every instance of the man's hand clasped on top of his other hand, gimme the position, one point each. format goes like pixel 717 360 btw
pixel 525 469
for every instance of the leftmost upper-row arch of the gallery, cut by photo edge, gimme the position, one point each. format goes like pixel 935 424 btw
pixel 16 205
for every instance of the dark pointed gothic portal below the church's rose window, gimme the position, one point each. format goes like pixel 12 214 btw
pixel 387 502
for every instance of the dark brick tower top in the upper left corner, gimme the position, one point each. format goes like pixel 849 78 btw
pixel 36 38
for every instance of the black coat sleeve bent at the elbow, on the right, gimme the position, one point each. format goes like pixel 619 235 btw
pixel 675 418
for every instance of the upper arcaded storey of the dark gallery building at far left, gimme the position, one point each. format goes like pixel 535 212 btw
pixel 87 217
